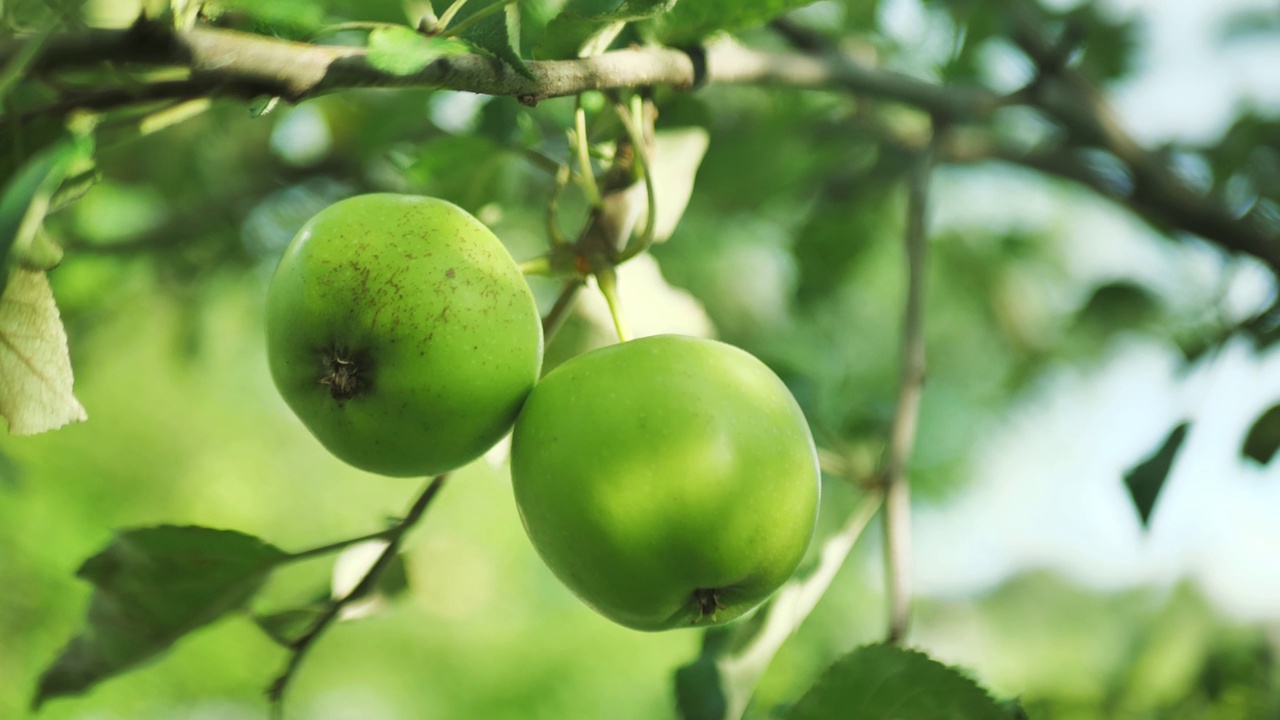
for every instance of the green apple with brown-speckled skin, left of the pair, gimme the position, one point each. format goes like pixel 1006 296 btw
pixel 403 334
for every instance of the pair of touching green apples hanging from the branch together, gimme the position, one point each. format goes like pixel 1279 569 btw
pixel 668 481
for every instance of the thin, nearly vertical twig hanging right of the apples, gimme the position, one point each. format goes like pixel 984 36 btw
pixel 898 496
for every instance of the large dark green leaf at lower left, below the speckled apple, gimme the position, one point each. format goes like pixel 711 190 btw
pixel 153 586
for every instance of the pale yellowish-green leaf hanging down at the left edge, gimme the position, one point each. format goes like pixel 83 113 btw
pixel 35 367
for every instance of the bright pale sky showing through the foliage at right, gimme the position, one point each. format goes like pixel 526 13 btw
pixel 1048 490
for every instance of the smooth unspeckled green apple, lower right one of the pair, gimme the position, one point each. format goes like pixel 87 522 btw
pixel 669 482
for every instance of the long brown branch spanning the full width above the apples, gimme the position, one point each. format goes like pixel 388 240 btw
pixel 227 63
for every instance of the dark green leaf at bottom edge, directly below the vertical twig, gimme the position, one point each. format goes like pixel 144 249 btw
pixel 883 682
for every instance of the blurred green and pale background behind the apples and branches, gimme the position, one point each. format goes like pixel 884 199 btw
pixel 1066 338
